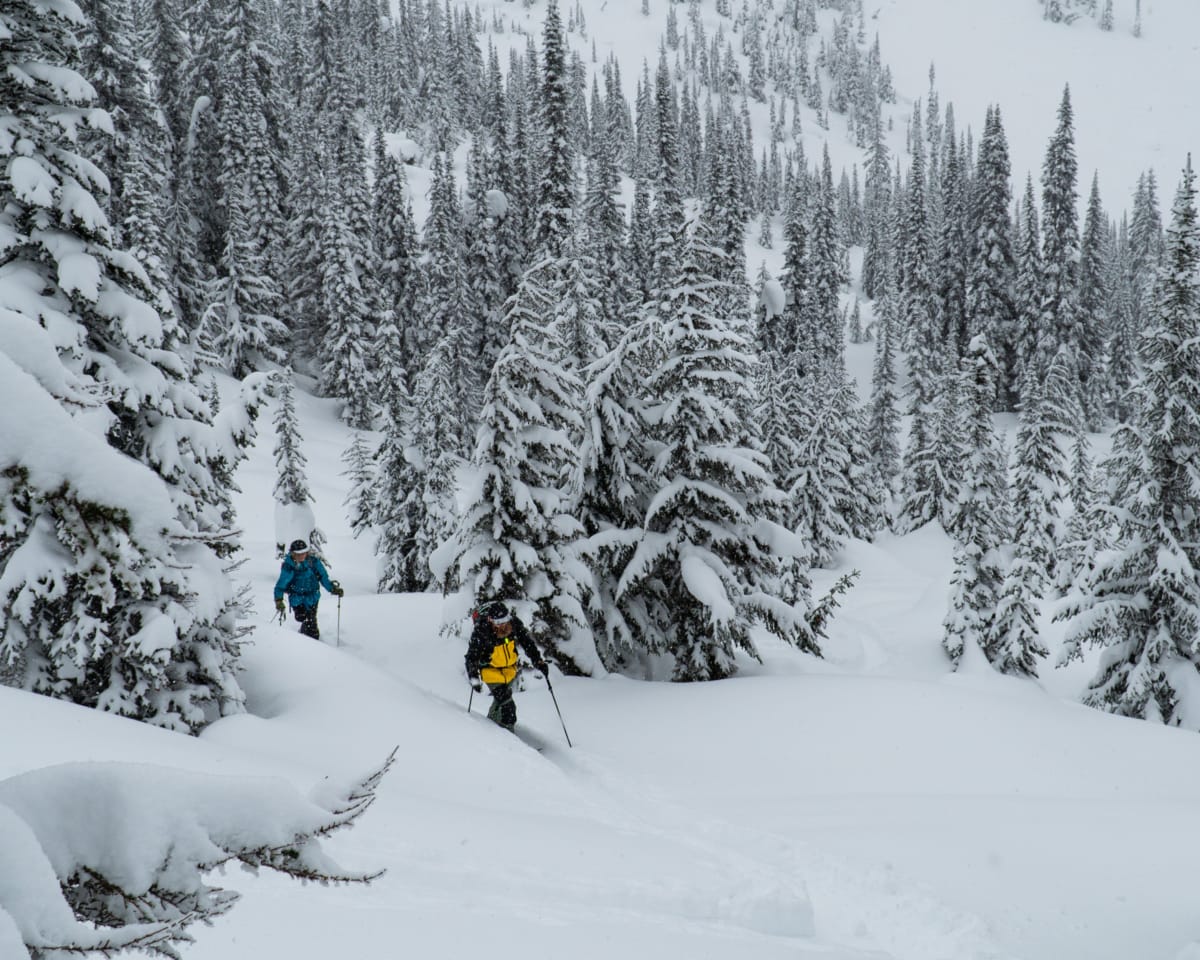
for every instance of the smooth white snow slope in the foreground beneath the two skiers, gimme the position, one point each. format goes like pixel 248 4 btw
pixel 867 803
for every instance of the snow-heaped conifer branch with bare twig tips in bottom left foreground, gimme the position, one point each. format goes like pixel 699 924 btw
pixel 97 859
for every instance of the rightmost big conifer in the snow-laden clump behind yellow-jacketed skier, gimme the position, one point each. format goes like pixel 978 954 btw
pixel 703 575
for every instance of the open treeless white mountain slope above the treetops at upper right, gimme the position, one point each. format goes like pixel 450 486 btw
pixel 1135 99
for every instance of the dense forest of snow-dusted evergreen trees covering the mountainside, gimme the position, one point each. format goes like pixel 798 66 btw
pixel 652 454
